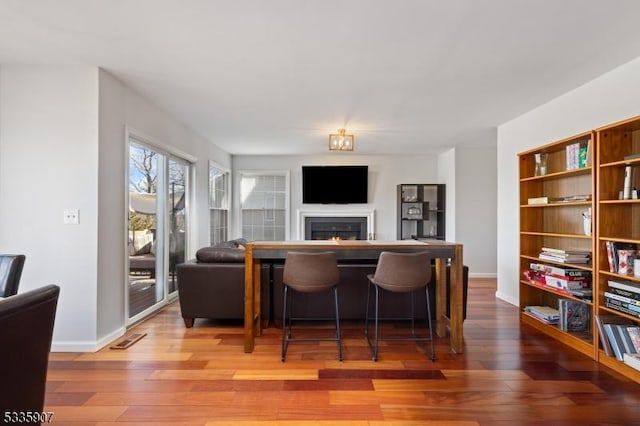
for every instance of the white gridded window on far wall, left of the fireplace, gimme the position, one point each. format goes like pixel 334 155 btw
pixel 264 205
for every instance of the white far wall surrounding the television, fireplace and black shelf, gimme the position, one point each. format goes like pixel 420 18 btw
pixel 471 185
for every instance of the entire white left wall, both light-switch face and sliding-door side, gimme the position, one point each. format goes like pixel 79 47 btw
pixel 62 145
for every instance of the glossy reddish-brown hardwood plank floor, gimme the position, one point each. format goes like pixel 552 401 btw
pixel 509 375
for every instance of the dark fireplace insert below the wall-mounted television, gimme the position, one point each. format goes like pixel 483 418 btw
pixel 335 228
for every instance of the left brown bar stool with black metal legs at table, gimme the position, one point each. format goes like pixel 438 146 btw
pixel 309 273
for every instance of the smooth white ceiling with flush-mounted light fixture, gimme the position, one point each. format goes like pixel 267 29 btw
pixel 276 76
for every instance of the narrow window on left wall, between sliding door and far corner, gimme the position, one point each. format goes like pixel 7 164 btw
pixel 219 196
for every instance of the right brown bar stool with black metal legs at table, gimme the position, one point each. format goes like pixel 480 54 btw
pixel 400 273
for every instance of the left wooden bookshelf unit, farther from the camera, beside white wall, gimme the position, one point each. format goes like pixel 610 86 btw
pixel 558 224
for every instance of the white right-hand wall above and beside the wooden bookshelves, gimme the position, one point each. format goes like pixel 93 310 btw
pixel 612 97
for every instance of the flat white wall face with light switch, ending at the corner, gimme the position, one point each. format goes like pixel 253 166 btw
pixel 49 162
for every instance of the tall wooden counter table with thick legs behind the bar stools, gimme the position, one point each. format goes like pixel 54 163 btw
pixel 259 251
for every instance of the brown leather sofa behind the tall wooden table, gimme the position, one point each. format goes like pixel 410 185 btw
pixel 212 286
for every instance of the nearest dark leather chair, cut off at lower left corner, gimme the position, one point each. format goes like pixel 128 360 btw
pixel 26 330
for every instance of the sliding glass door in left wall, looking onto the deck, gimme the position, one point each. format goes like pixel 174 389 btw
pixel 157 226
